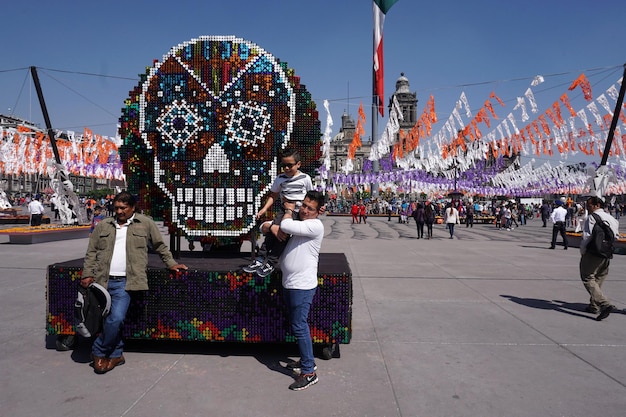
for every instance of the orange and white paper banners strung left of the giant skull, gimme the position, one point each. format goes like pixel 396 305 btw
pixel 26 151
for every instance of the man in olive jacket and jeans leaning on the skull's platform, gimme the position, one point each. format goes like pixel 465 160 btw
pixel 117 259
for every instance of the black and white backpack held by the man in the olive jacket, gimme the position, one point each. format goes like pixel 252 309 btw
pixel 92 305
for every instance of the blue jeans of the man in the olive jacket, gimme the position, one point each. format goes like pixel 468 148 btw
pixel 109 343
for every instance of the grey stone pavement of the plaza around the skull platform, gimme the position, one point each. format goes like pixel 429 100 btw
pixel 490 323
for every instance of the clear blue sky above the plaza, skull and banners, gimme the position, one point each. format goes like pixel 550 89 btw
pixel 443 48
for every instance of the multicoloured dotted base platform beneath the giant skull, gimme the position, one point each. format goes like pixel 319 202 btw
pixel 214 301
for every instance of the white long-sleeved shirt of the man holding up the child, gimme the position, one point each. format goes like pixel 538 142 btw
pixel 299 260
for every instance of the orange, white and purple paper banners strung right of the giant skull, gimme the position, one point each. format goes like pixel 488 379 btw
pixel 428 163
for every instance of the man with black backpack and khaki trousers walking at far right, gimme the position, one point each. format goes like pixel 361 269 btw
pixel 599 232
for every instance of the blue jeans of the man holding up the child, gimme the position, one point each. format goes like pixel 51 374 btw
pixel 299 304
